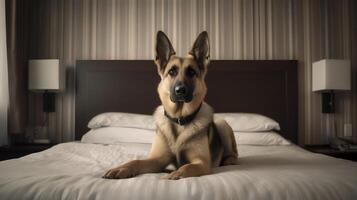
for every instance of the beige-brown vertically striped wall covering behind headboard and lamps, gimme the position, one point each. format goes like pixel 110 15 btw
pixel 305 30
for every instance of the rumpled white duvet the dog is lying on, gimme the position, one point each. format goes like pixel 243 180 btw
pixel 73 171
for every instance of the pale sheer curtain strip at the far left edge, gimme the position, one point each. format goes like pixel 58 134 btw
pixel 4 87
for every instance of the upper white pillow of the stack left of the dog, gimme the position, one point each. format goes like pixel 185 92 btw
pixel 118 119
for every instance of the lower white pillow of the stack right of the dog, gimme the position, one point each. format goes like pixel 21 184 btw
pixel 260 138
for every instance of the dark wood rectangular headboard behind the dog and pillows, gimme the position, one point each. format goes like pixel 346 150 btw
pixel 267 87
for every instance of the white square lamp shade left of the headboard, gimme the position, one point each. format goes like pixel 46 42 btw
pixel 44 74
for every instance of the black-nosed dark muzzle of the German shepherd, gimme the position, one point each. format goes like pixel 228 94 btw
pixel 181 93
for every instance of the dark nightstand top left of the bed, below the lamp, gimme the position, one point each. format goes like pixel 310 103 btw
pixel 19 150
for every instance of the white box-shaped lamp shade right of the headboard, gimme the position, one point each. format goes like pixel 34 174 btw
pixel 331 74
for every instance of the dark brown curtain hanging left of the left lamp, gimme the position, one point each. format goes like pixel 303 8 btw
pixel 17 25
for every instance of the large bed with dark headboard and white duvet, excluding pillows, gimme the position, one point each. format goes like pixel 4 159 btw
pixel 73 170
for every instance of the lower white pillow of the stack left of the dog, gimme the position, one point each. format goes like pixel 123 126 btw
pixel 115 135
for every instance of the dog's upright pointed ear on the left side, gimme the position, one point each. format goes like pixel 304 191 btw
pixel 164 50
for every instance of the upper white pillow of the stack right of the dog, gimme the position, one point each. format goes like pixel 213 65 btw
pixel 249 122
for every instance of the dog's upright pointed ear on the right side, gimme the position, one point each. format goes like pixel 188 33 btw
pixel 200 50
